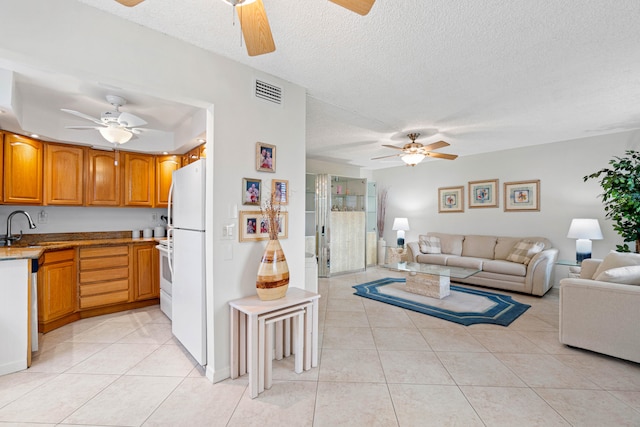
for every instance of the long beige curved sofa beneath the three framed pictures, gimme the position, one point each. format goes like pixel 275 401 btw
pixel 489 254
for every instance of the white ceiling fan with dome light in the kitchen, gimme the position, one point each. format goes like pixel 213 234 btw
pixel 114 126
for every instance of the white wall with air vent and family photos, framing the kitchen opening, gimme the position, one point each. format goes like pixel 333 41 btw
pixel 74 39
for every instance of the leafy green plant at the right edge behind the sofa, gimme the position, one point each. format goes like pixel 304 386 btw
pixel 621 196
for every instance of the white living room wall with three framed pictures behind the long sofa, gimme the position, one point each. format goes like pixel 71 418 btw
pixel 413 192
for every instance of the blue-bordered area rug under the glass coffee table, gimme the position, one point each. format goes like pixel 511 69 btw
pixel 464 306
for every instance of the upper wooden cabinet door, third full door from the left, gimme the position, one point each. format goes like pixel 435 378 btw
pixel 103 184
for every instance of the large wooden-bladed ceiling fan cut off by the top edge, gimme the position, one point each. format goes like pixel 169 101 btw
pixel 255 25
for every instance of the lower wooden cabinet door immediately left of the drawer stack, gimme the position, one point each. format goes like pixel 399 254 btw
pixel 56 289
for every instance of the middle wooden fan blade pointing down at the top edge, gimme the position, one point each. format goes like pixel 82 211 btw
pixel 255 28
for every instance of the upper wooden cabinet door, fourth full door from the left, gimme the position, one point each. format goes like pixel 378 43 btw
pixel 138 179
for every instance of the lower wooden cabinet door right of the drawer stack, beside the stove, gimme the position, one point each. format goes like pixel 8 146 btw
pixel 146 280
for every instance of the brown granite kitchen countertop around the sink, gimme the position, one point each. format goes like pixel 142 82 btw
pixel 33 249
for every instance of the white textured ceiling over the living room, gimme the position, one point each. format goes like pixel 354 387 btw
pixel 483 76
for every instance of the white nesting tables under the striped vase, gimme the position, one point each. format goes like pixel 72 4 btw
pixel 250 335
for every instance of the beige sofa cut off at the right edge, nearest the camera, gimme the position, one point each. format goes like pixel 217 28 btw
pixel 600 316
